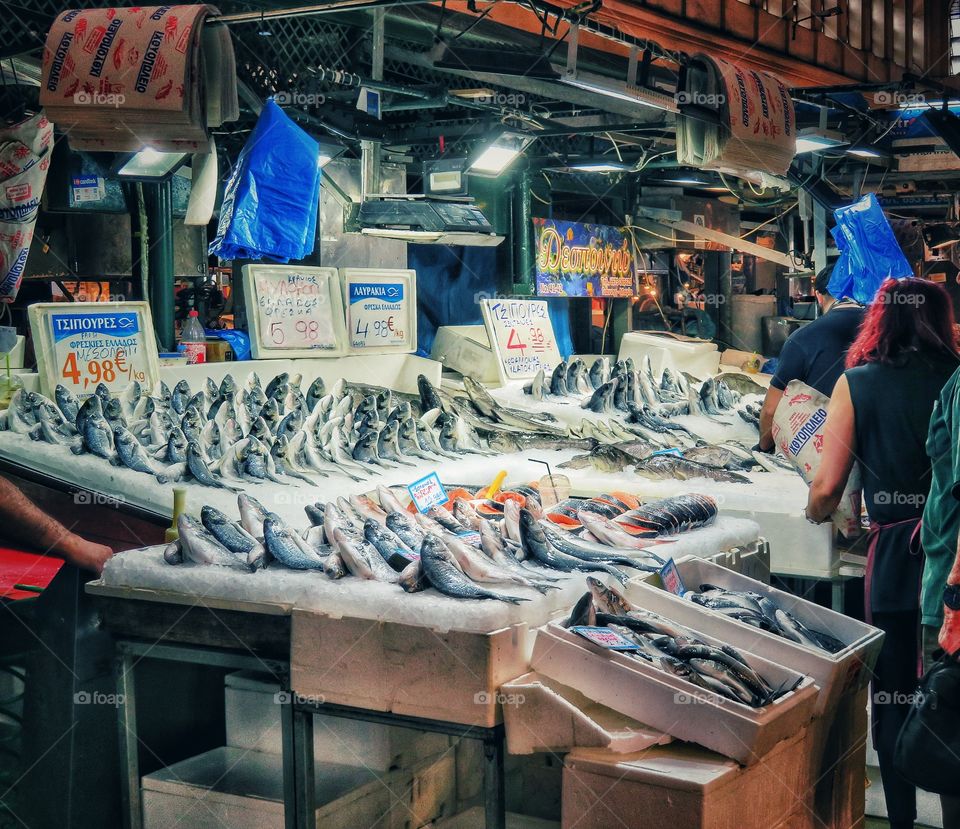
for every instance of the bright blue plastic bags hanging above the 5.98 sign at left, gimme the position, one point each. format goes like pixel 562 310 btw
pixel 271 199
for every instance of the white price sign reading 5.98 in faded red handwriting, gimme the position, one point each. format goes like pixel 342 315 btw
pixel 294 311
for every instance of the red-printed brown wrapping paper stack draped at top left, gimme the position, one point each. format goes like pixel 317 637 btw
pixel 119 79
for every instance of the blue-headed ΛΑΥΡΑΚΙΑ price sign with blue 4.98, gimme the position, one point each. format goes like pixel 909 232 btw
pixel 381 309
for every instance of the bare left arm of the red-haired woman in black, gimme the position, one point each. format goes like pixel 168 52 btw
pixel 839 448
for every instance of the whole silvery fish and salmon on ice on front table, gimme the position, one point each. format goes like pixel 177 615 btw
pixel 474 550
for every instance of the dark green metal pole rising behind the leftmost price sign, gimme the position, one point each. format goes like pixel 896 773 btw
pixel 159 203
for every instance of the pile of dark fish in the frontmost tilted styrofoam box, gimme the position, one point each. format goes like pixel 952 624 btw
pixel 675 649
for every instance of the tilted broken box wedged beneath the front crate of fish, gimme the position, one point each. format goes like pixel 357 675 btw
pixel 541 714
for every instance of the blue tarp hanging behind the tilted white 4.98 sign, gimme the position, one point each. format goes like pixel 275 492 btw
pixel 451 282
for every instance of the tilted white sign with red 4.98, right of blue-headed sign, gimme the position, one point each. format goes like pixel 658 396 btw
pixel 521 334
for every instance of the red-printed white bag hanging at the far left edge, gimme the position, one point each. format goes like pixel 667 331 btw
pixel 24 159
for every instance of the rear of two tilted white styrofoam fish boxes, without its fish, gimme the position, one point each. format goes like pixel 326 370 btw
pixel 837 674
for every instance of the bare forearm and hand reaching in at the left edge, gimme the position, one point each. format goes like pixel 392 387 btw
pixel 24 521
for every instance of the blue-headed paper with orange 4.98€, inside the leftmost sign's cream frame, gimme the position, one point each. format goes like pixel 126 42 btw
pixel 93 348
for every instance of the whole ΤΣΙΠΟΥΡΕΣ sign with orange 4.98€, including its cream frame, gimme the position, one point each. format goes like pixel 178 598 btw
pixel 84 345
